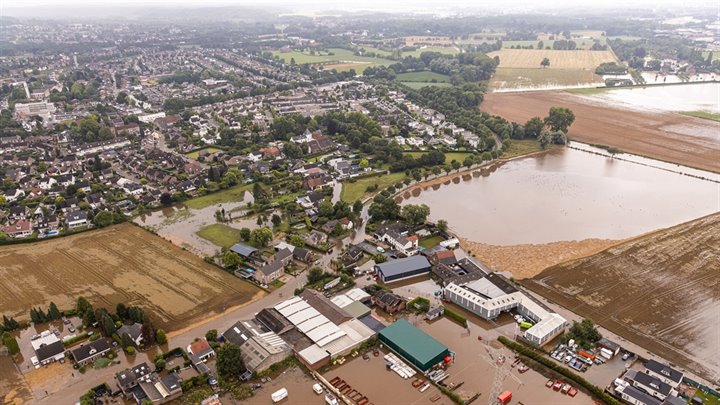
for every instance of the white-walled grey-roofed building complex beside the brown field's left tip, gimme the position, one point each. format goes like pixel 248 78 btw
pixel 492 294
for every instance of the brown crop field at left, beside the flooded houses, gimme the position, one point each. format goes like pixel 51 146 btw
pixel 122 263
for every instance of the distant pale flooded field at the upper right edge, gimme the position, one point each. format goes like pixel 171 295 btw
pixel 694 97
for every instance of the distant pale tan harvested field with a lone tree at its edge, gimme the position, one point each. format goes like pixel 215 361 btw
pixel 531 58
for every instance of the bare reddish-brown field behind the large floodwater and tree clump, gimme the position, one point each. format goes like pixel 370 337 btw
pixel 669 137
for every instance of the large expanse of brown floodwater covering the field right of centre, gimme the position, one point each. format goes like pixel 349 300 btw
pixel 568 194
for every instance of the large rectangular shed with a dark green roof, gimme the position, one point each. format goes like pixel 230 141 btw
pixel 413 345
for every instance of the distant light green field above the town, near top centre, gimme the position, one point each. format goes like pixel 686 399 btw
pixel 341 59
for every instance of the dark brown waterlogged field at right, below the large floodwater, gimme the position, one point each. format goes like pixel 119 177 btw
pixel 660 291
